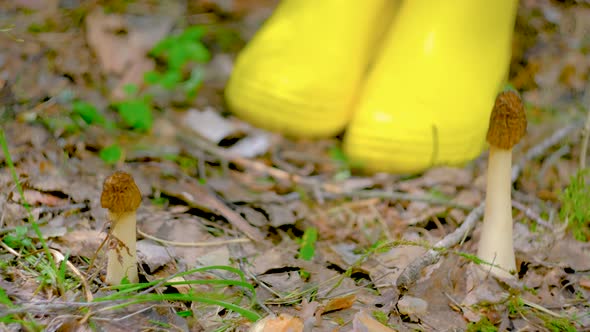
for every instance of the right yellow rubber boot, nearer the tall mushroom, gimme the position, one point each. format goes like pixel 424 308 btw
pixel 429 96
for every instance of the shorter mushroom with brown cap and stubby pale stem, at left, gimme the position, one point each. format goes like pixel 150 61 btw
pixel 121 197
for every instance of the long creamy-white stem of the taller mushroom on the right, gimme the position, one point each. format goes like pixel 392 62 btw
pixel 495 243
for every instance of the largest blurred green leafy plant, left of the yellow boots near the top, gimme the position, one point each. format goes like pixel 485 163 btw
pixel 177 53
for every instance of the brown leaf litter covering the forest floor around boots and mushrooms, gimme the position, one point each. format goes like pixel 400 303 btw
pixel 218 192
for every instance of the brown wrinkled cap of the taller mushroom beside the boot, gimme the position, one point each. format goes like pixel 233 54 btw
pixel 508 121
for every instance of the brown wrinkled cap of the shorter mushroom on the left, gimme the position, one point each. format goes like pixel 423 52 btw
pixel 120 193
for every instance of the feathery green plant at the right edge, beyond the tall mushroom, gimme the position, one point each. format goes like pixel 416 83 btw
pixel 575 200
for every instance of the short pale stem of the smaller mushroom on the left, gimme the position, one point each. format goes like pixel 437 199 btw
pixel 121 255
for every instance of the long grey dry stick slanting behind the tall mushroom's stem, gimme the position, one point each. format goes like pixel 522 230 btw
pixel 413 271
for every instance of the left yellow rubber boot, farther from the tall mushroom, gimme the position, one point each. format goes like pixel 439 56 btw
pixel 302 72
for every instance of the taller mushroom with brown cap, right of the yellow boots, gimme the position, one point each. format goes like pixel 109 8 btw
pixel 507 126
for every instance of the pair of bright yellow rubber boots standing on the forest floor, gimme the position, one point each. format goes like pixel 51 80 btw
pixel 413 82
